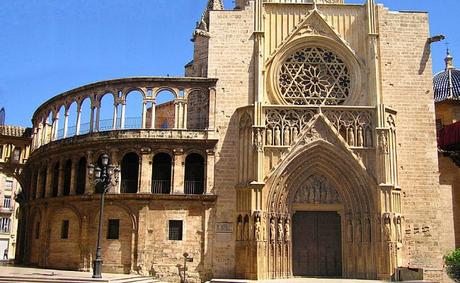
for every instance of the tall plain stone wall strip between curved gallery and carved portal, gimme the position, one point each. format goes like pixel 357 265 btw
pixel 230 60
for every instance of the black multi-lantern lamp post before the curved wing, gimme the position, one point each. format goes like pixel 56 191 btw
pixel 106 175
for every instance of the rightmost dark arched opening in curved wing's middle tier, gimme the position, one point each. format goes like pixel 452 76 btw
pixel 194 174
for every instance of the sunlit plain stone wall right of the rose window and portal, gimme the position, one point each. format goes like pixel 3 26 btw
pixel 407 87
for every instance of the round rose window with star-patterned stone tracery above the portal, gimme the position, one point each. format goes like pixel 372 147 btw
pixel 314 76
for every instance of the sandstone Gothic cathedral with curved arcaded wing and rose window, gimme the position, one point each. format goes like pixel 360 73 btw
pixel 301 142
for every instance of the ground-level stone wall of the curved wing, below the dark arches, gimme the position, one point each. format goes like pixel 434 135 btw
pixel 143 244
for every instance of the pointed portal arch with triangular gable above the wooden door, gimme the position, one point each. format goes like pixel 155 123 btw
pixel 321 150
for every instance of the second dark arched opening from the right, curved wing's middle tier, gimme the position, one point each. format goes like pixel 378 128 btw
pixel 161 174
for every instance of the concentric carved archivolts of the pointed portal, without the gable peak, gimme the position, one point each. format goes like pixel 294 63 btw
pixel 354 186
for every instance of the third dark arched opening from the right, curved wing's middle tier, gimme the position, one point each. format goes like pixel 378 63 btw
pixel 129 173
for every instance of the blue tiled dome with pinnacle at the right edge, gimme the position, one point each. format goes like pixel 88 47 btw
pixel 447 83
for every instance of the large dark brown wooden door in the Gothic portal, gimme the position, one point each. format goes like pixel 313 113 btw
pixel 316 245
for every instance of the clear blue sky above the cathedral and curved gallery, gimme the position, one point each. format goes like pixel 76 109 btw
pixel 48 47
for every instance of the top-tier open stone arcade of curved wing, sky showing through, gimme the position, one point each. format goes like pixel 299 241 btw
pixel 191 107
